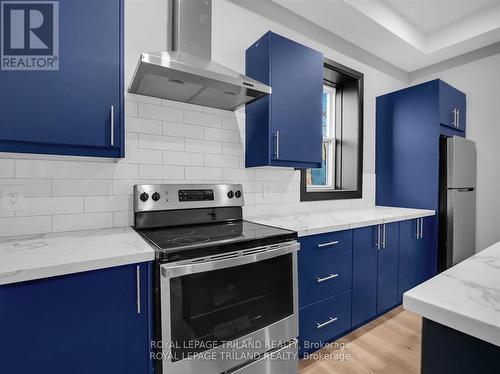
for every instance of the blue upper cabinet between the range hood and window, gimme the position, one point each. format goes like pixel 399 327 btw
pixel 284 129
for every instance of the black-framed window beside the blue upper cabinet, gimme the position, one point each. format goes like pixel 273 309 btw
pixel 340 175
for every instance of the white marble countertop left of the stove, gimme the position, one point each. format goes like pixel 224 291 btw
pixel 32 257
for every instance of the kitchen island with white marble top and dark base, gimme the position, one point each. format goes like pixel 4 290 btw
pixel 461 316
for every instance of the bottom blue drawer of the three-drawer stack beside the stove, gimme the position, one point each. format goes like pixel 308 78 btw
pixel 323 321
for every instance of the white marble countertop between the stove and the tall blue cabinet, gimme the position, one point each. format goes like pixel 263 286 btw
pixel 342 219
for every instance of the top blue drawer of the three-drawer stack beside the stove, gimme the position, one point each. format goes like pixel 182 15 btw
pixel 324 244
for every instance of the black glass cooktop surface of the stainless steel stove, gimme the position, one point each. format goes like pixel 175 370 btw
pixel 232 235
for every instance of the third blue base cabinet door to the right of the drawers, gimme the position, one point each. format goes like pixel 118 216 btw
pixel 407 256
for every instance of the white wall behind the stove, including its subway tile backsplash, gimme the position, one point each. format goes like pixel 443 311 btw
pixel 169 142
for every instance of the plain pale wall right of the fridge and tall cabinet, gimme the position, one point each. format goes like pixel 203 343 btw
pixel 480 80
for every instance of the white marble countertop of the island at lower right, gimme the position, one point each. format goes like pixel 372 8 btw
pixel 465 297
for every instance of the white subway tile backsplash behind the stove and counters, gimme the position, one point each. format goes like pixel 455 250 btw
pixel 166 142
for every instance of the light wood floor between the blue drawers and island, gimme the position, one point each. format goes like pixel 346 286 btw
pixel 388 345
